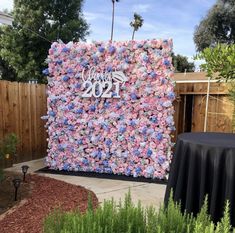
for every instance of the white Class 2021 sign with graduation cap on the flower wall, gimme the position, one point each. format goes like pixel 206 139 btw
pixel 104 85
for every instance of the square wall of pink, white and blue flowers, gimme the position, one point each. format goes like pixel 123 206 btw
pixel 126 133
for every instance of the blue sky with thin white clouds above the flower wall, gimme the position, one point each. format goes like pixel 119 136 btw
pixel 162 19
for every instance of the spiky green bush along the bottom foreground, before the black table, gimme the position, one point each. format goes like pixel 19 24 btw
pixel 127 218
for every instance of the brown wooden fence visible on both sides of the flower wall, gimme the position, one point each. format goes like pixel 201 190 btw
pixel 22 105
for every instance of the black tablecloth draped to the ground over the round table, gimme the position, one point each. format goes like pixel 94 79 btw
pixel 204 164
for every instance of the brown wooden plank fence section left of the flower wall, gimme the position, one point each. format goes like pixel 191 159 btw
pixel 21 106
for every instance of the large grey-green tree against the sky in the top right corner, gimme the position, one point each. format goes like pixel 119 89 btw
pixel 217 27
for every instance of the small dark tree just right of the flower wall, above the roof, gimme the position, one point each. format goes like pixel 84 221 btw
pixel 182 64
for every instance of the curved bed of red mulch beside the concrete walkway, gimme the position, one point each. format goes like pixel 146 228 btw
pixel 47 194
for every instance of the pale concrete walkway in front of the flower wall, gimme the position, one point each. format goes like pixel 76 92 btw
pixel 148 194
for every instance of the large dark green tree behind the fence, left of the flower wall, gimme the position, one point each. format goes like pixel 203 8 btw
pixel 24 46
